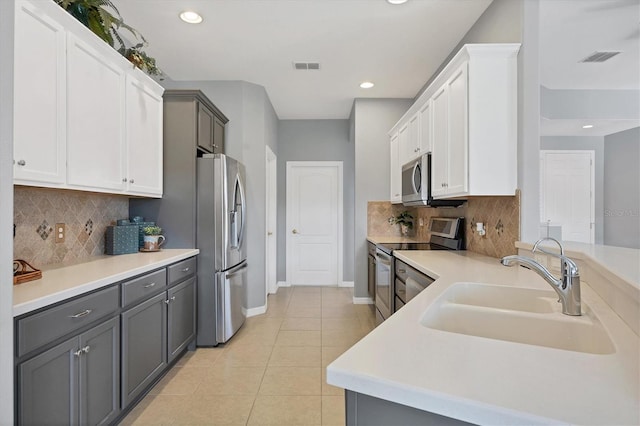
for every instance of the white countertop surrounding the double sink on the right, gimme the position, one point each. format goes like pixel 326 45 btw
pixel 489 381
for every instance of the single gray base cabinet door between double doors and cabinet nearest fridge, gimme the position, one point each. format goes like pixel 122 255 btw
pixel 144 331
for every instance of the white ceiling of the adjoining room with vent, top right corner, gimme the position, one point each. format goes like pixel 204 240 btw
pixel 571 30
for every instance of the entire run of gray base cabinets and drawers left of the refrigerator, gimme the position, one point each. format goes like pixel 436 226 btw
pixel 88 360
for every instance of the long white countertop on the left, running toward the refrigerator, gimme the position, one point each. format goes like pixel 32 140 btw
pixel 60 283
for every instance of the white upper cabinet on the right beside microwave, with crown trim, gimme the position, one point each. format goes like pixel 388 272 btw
pixel 468 120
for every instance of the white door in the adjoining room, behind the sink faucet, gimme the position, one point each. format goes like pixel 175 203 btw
pixel 566 193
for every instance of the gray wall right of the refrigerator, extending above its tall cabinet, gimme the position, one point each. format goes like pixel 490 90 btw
pixel 252 126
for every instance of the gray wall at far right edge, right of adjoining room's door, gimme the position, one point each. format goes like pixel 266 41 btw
pixel 622 189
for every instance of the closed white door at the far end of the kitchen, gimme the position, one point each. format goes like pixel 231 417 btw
pixel 314 223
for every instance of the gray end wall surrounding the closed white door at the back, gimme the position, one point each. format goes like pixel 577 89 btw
pixel 315 140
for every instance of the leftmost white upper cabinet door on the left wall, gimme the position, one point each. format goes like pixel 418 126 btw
pixel 39 98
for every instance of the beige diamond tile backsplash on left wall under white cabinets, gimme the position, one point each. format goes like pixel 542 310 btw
pixel 86 216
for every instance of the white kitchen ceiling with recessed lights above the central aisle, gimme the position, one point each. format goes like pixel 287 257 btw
pixel 396 47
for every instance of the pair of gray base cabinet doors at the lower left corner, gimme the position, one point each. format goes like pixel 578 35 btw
pixel 75 382
